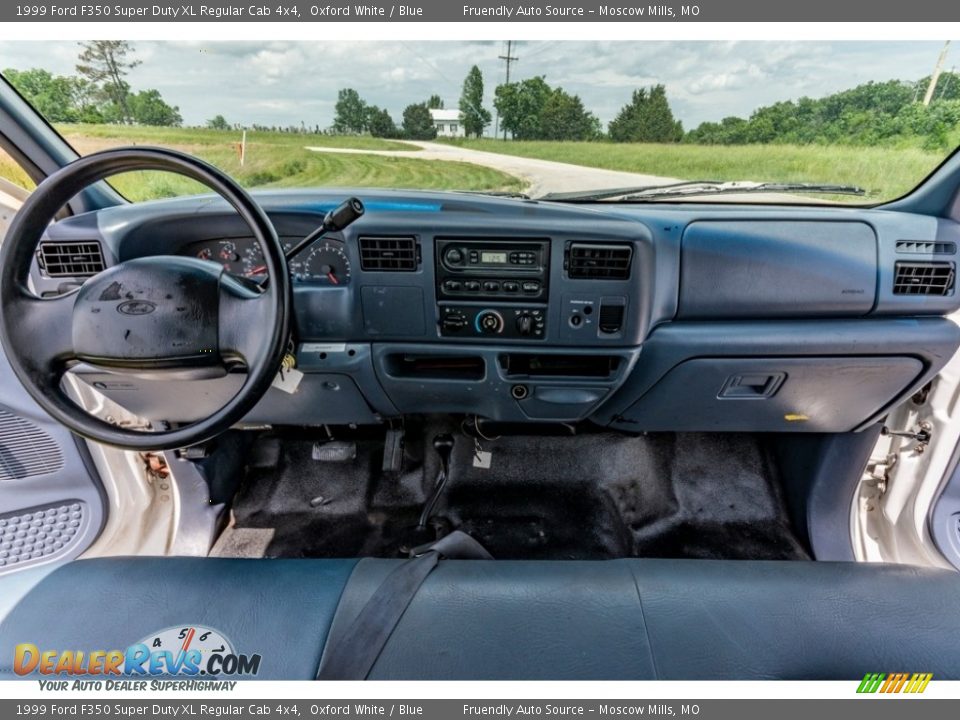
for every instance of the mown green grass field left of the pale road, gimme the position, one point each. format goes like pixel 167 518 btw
pixel 274 160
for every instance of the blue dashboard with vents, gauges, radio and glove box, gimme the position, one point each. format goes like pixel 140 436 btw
pixel 640 317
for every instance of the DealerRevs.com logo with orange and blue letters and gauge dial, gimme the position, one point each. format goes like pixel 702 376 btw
pixel 192 651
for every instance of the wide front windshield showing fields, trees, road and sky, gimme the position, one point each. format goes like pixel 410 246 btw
pixel 843 122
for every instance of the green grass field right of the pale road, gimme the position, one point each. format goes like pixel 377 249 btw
pixel 885 173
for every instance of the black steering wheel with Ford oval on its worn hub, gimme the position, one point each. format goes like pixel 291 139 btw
pixel 160 316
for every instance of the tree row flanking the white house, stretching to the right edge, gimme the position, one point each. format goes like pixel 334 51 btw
pixel 531 109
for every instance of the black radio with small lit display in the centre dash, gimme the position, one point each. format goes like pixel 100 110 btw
pixel 506 270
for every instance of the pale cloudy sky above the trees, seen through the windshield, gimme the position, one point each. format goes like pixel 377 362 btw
pixel 289 83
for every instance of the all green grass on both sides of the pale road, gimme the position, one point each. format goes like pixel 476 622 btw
pixel 277 160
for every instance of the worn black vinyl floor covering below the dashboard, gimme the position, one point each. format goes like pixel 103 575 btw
pixel 590 496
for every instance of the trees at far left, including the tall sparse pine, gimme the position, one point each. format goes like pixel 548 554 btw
pixel 98 93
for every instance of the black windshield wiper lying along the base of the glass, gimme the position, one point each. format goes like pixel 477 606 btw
pixel 642 193
